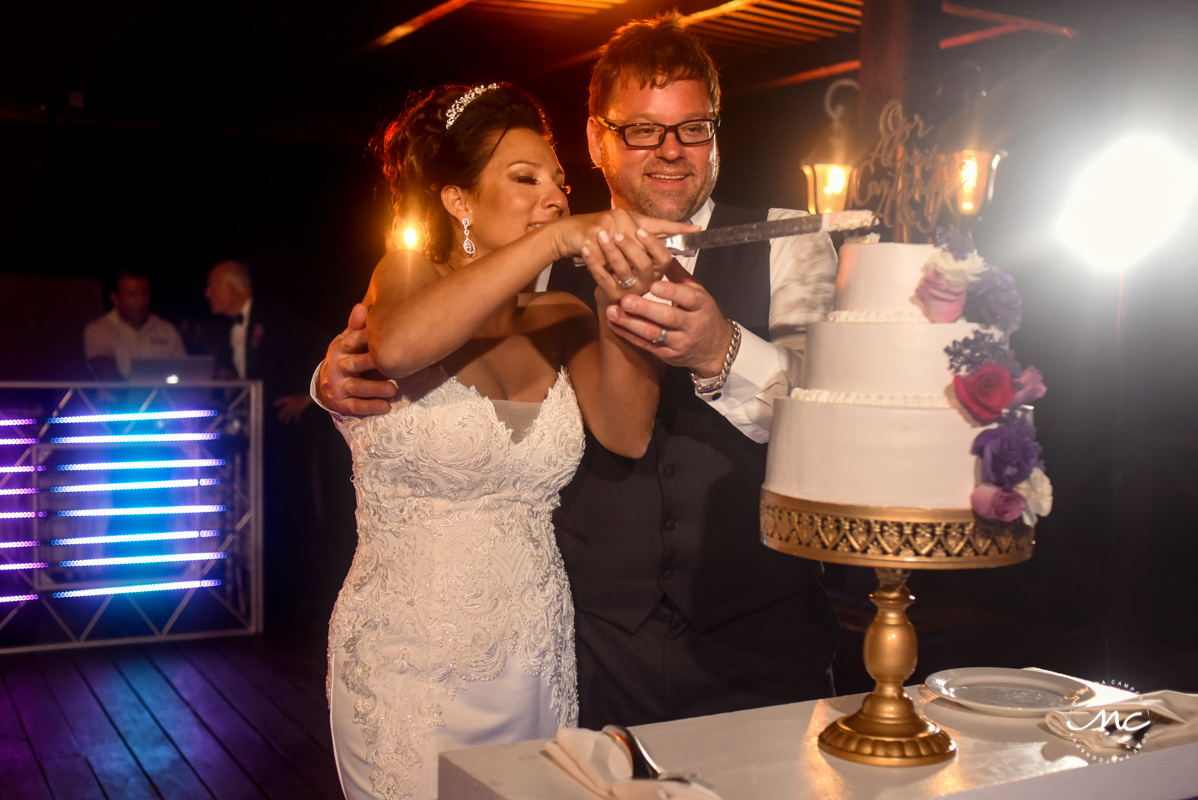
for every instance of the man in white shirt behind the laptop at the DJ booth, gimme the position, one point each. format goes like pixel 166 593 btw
pixel 130 331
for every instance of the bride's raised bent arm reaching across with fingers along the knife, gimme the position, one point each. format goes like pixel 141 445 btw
pixel 418 318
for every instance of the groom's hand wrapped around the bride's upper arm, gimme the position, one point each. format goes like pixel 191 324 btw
pixel 341 386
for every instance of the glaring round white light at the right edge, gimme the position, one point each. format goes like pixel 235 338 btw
pixel 1133 197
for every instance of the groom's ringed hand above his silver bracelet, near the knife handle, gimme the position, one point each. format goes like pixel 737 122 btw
pixel 697 335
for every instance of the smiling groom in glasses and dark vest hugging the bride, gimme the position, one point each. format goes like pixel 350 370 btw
pixel 681 611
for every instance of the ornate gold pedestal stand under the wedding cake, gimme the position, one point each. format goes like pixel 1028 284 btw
pixel 888 731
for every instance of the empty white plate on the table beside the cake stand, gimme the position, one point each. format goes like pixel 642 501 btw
pixel 1009 693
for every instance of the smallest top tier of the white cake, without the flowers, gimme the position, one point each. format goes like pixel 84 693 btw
pixel 878 282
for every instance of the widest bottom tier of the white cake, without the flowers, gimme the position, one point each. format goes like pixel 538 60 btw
pixel 870 456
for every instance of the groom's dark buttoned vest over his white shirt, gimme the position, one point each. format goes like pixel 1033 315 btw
pixel 683 520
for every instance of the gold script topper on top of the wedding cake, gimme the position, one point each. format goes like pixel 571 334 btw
pixel 911 184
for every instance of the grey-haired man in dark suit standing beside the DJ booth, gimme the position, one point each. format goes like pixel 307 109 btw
pixel 270 343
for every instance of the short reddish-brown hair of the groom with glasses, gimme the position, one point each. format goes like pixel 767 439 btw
pixel 656 51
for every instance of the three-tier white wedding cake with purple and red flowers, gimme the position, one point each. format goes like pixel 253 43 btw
pixel 911 397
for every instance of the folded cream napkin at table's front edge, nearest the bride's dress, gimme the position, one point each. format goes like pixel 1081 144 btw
pixel 604 766
